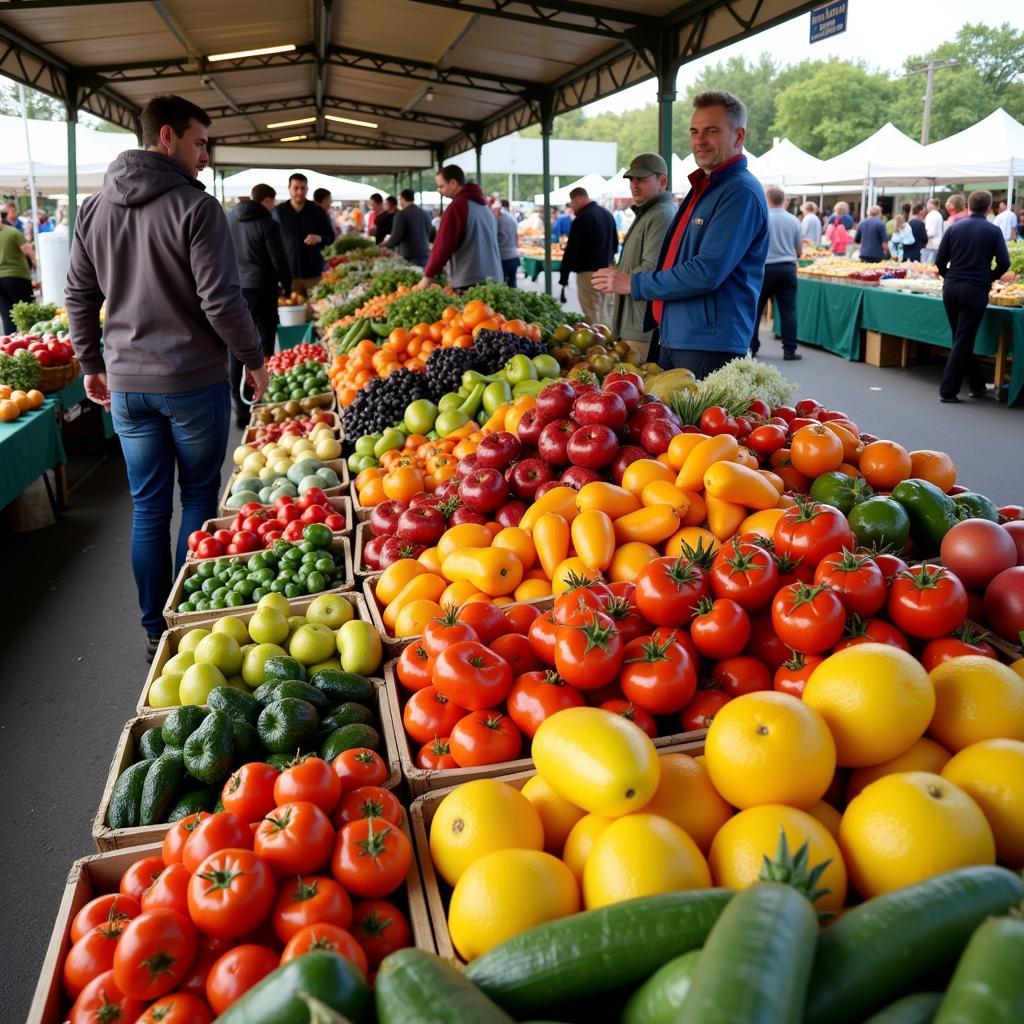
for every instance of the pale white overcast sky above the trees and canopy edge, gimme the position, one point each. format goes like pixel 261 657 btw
pixel 882 32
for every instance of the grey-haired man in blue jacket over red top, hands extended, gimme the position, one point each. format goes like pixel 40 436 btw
pixel 704 295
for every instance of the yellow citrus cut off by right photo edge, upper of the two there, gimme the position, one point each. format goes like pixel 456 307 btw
pixel 976 699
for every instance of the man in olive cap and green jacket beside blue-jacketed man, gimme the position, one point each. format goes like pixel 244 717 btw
pixel 654 210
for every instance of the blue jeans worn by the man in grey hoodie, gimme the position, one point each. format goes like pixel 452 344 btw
pixel 158 432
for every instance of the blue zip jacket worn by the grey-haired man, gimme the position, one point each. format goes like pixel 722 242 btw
pixel 711 292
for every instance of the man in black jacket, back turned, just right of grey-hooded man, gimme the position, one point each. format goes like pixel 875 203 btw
pixel 263 266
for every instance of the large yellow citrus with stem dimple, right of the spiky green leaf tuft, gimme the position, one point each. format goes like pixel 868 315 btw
pixel 910 827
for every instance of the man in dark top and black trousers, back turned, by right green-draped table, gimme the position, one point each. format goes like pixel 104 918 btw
pixel 965 260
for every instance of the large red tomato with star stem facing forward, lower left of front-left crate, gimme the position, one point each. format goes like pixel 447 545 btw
pixel 160 937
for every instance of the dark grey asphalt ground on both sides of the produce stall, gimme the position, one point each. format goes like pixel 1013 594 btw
pixel 73 661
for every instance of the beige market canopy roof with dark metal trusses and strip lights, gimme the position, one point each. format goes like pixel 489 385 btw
pixel 433 78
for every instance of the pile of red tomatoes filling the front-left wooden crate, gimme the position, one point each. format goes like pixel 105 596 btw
pixel 313 858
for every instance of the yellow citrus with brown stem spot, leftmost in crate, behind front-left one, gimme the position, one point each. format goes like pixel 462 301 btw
pixel 478 819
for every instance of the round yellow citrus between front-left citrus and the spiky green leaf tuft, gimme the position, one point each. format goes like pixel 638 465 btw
pixel 642 856
